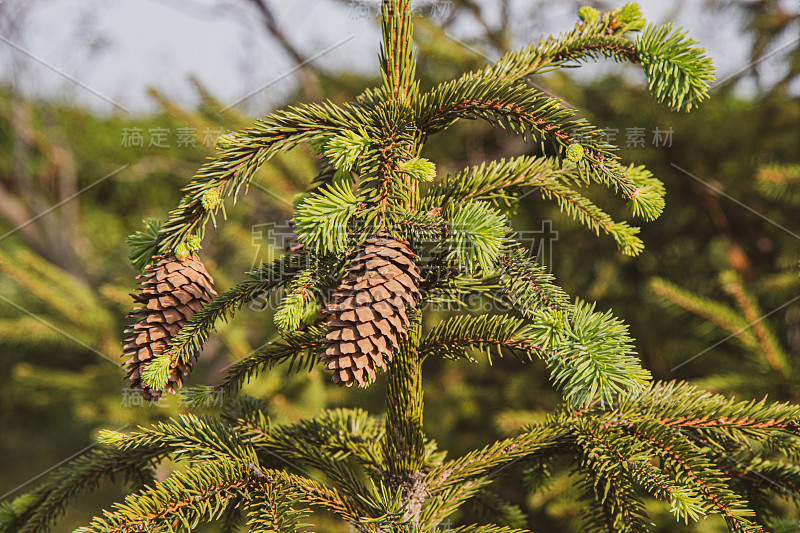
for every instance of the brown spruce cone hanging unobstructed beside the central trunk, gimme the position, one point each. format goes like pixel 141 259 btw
pixel 368 309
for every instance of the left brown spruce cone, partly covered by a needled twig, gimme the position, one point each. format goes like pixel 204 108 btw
pixel 171 292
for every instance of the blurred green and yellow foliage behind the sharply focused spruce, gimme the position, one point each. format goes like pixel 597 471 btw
pixel 723 255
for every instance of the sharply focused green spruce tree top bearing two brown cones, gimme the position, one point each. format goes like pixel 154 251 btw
pixel 355 285
